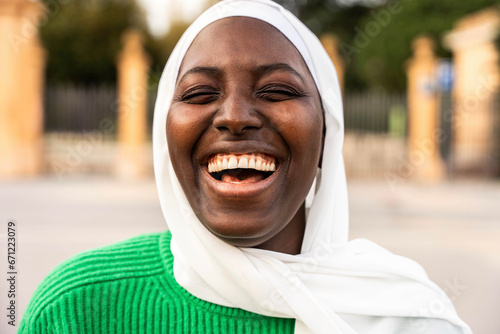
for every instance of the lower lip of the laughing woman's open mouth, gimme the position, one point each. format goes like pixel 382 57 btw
pixel 237 190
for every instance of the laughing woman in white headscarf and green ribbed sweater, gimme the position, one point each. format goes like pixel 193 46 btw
pixel 248 124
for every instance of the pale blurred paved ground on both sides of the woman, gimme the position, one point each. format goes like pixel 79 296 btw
pixel 452 229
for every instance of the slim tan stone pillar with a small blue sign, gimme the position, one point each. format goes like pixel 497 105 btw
pixel 423 108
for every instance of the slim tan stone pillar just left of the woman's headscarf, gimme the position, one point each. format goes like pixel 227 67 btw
pixel 133 64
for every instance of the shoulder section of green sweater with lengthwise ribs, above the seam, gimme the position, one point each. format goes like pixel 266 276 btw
pixel 130 260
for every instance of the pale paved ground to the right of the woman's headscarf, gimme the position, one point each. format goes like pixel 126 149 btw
pixel 452 230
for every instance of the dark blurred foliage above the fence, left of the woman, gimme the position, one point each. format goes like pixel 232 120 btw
pixel 83 38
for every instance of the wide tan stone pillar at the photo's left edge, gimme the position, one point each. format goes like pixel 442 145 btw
pixel 22 64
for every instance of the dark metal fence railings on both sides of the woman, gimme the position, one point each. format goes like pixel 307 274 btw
pixel 81 109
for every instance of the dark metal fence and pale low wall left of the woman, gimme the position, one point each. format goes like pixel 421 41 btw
pixel 75 141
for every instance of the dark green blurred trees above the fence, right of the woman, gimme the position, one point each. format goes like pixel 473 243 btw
pixel 379 63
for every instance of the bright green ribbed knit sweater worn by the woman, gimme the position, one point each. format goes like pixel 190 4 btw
pixel 129 288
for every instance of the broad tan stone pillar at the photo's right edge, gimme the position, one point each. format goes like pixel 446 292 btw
pixel 475 62
